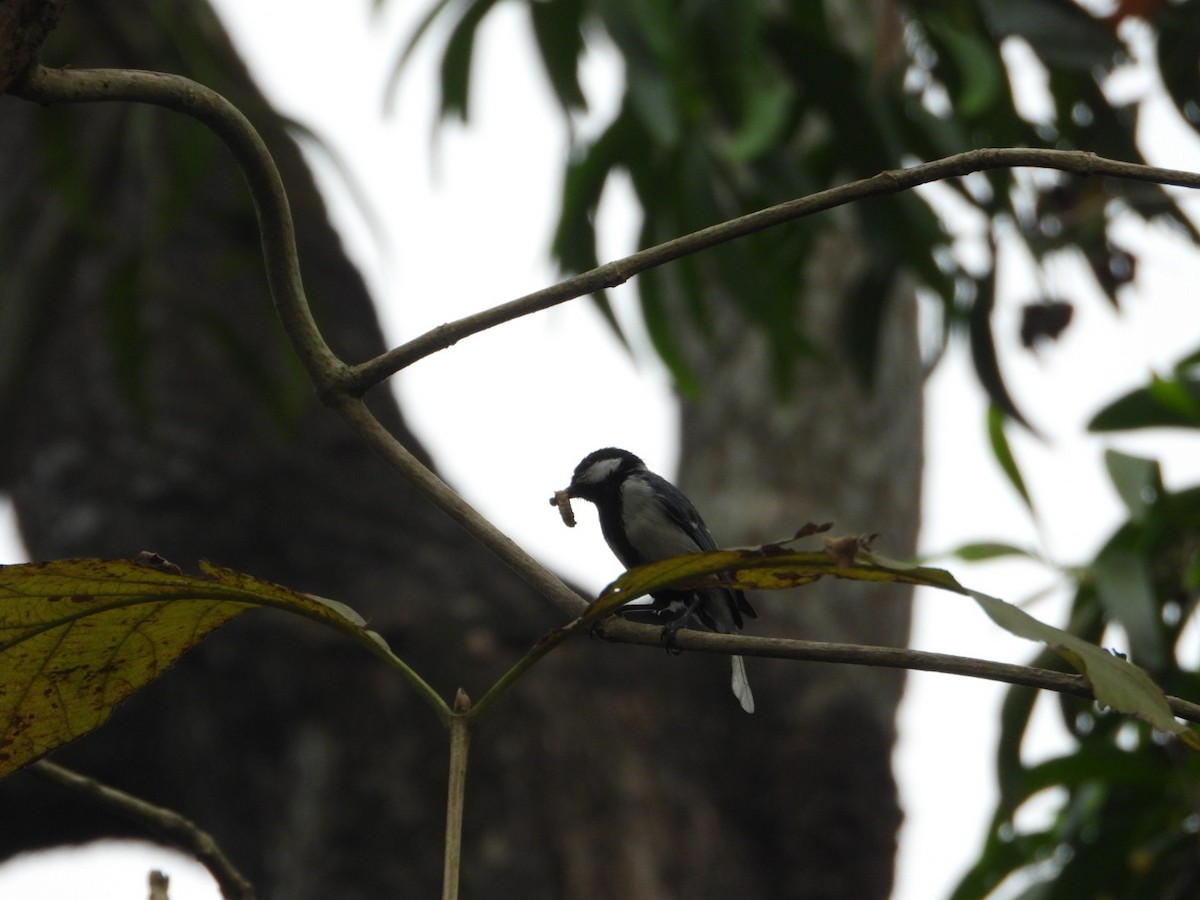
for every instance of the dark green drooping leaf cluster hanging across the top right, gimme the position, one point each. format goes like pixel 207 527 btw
pixel 733 107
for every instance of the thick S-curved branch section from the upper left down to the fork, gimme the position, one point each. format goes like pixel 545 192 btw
pixel 275 226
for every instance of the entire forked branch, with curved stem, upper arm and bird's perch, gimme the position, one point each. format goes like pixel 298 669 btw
pixel 340 386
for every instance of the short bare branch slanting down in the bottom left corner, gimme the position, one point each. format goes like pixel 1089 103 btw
pixel 165 824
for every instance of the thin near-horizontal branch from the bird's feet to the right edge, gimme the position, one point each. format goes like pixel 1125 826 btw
pixel 865 656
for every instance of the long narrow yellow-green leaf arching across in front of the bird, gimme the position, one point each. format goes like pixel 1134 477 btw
pixel 1117 683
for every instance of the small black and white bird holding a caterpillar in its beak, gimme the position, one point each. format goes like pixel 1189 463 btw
pixel 645 519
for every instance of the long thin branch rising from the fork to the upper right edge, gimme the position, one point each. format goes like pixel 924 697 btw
pixel 364 376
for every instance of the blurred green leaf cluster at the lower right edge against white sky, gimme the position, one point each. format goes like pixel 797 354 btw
pixel 1126 824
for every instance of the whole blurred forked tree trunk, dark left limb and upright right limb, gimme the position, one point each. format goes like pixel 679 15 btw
pixel 151 404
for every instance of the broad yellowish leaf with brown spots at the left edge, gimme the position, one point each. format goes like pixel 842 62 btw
pixel 79 637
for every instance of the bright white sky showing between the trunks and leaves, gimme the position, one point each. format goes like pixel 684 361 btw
pixel 471 231
